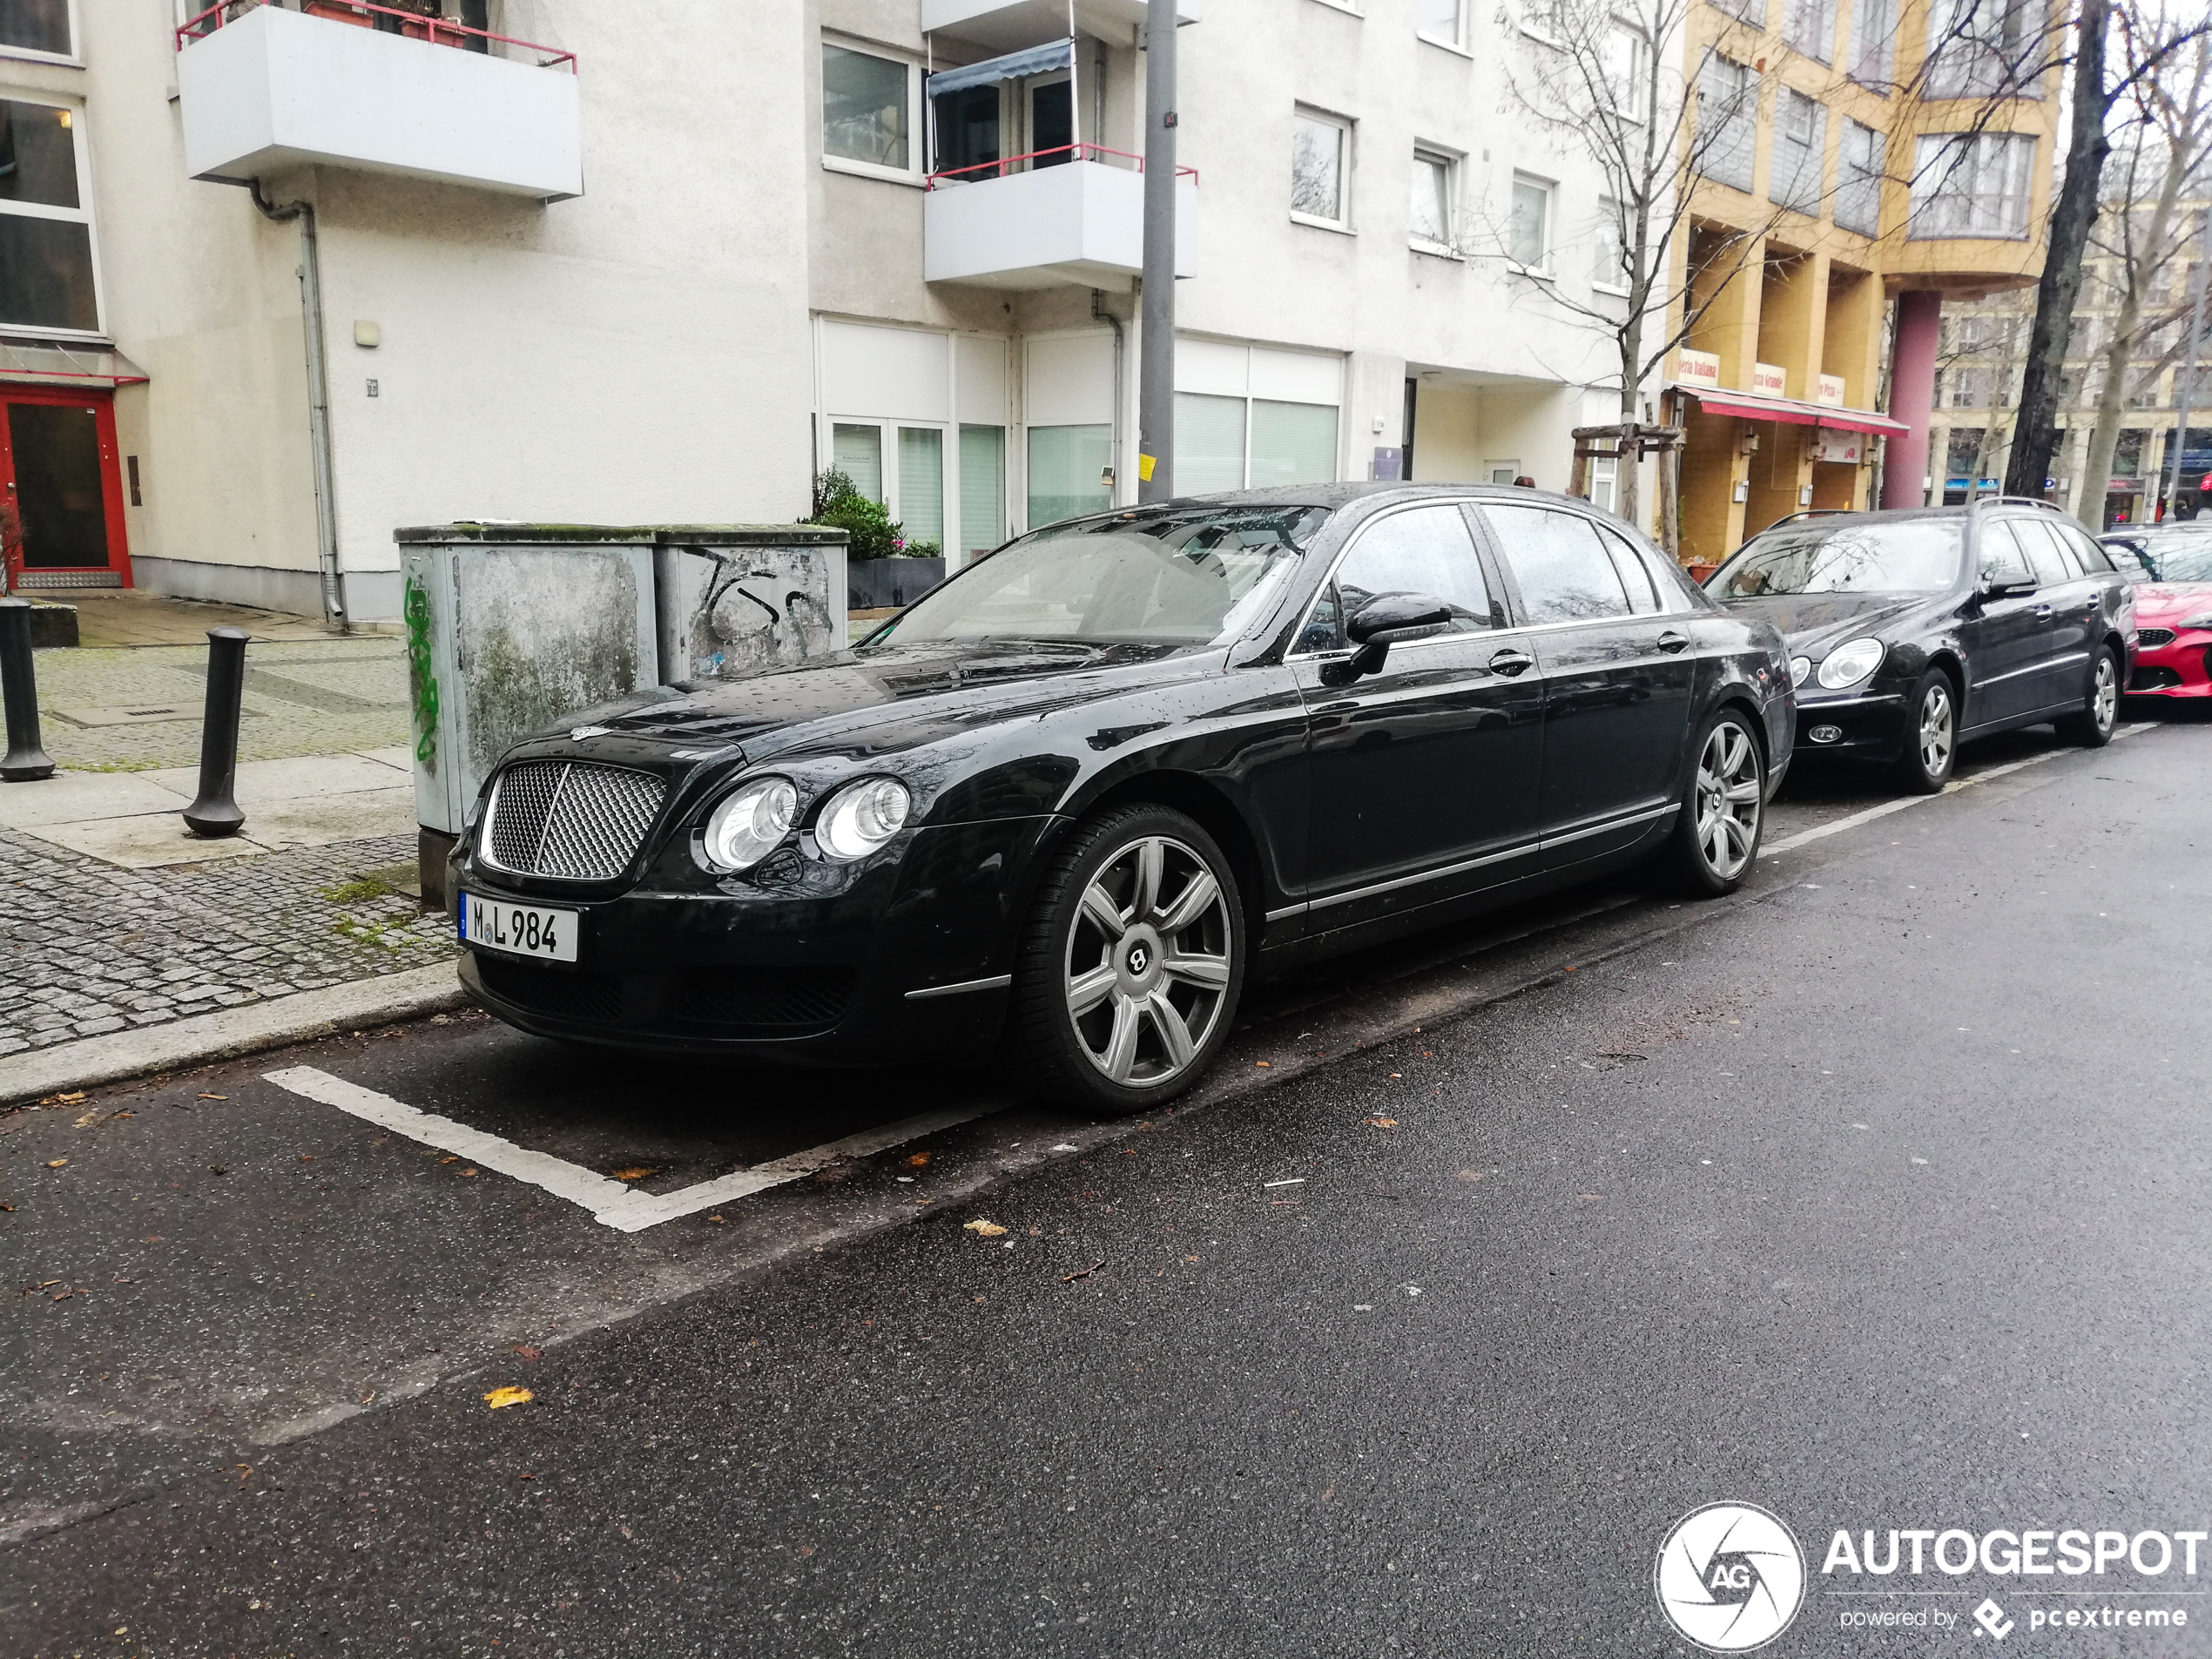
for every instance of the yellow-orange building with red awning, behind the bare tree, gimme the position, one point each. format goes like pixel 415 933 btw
pixel 1859 163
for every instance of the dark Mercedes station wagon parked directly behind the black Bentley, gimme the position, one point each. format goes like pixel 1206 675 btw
pixel 1912 632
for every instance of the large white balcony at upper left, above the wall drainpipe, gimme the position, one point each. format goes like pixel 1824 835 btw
pixel 275 90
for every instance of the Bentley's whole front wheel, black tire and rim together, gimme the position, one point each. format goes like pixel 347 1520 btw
pixel 1123 1052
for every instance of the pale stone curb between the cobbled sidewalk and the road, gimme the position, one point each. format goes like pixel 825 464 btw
pixel 231 1032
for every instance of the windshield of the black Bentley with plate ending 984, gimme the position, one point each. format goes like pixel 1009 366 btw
pixel 1187 576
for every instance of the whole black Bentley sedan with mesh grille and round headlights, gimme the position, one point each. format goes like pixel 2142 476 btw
pixel 1070 802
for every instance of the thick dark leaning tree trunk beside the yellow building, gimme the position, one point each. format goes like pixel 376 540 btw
pixel 2036 426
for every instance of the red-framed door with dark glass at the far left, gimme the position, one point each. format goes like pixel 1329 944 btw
pixel 61 490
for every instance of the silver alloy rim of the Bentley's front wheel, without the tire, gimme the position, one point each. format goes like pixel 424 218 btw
pixel 1149 961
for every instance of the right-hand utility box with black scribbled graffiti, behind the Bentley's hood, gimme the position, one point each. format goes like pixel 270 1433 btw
pixel 735 598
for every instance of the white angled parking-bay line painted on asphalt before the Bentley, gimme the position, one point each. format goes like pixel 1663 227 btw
pixel 609 1202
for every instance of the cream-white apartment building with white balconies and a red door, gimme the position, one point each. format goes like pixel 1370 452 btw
pixel 278 280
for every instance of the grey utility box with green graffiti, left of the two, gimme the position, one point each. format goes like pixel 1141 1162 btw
pixel 510 629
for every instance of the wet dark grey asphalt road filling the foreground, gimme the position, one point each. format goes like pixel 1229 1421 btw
pixel 1875 1196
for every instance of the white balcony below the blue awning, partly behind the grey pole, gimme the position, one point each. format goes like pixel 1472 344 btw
pixel 1081 222
